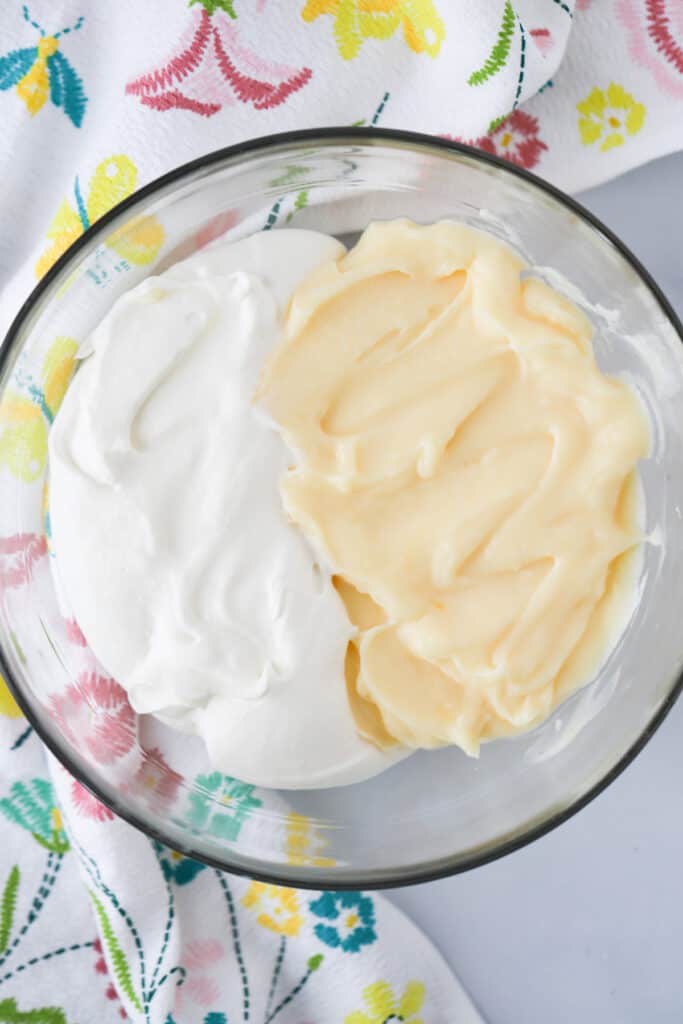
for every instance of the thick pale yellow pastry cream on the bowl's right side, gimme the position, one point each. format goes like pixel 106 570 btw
pixel 469 473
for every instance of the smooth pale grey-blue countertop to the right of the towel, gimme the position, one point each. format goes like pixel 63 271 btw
pixel 586 925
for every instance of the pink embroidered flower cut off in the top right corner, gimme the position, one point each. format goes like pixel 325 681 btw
pixel 655 34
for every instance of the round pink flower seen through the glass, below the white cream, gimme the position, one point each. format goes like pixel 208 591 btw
pixel 95 715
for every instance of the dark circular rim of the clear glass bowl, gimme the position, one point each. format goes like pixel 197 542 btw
pixel 371 879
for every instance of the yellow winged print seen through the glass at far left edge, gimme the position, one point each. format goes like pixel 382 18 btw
pixel 25 419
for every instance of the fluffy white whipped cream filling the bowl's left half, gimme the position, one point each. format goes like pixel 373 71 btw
pixel 173 546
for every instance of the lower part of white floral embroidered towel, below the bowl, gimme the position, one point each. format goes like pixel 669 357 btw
pixel 99 924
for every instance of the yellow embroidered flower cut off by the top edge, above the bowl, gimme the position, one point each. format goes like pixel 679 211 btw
pixel 357 21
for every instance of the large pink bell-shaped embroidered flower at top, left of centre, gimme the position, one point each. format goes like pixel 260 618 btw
pixel 214 70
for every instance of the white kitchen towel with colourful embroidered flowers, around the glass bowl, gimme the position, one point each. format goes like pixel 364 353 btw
pixel 98 923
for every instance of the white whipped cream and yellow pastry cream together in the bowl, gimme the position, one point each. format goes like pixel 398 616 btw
pixel 322 508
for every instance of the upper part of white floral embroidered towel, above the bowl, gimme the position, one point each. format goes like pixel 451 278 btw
pixel 578 96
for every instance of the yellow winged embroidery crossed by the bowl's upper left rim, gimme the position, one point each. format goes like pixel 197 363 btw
pixel 115 180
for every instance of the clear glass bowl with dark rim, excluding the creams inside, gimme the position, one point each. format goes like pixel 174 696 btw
pixel 437 813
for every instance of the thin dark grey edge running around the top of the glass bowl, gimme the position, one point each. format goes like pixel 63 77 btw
pixel 323 877
